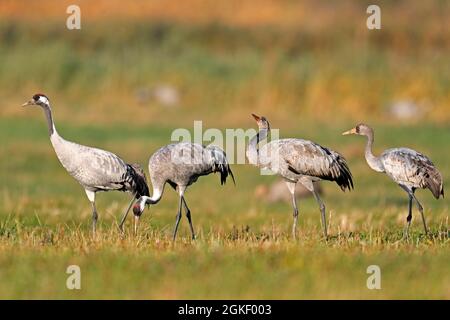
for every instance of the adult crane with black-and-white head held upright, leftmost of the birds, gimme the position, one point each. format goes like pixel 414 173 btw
pixel 95 169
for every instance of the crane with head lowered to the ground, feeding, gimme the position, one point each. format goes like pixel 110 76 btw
pixel 180 165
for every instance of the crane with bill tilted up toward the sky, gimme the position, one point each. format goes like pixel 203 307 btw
pixel 298 160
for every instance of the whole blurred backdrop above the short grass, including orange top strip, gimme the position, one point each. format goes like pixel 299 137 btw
pixel 168 62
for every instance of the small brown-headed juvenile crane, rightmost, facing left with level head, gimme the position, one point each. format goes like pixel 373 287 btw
pixel 408 168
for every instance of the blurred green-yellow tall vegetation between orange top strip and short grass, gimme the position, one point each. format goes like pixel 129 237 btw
pixel 224 72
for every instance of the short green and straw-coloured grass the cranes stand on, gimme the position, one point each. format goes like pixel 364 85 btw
pixel 244 248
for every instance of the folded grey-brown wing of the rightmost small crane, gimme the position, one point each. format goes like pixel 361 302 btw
pixel 411 168
